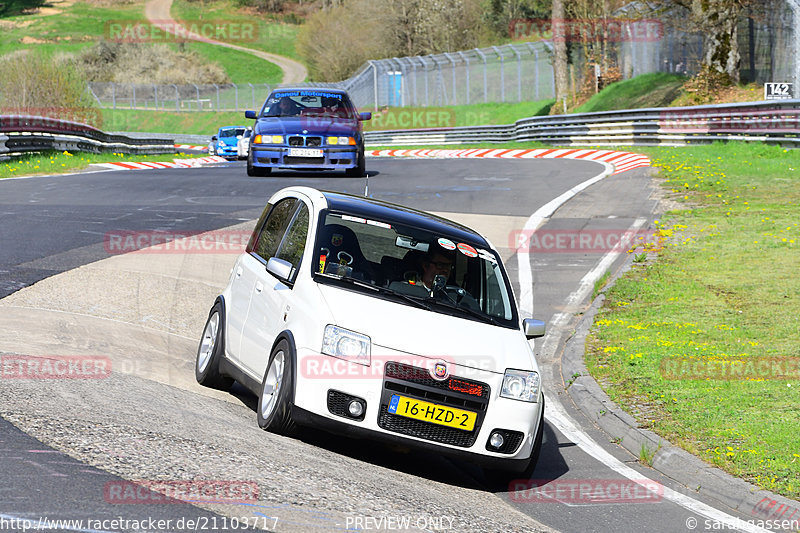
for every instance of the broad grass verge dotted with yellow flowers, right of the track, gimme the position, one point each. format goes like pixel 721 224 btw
pixel 724 288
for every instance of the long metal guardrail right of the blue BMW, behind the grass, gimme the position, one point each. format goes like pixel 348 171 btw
pixel 775 122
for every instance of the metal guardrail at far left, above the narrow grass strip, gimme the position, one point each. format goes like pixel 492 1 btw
pixel 21 134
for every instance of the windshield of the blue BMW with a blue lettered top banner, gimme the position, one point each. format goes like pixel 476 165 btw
pixel 308 104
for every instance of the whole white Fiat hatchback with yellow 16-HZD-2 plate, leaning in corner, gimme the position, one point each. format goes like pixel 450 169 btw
pixel 353 315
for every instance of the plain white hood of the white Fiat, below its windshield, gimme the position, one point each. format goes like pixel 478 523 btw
pixel 395 327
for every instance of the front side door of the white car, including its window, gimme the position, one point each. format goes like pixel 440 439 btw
pixel 271 296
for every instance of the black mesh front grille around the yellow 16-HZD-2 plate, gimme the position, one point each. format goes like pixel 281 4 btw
pixel 414 382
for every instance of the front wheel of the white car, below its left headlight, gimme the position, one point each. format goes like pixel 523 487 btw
pixel 277 391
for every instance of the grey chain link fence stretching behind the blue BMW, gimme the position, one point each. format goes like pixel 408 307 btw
pixel 509 73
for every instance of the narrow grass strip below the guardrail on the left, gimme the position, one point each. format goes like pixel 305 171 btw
pixel 63 162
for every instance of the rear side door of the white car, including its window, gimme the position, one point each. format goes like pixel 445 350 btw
pixel 250 268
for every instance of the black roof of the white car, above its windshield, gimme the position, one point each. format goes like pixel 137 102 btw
pixel 398 214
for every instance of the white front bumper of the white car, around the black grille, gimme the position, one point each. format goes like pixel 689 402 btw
pixel 375 387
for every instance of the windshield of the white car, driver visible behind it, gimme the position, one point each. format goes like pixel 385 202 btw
pixel 437 269
